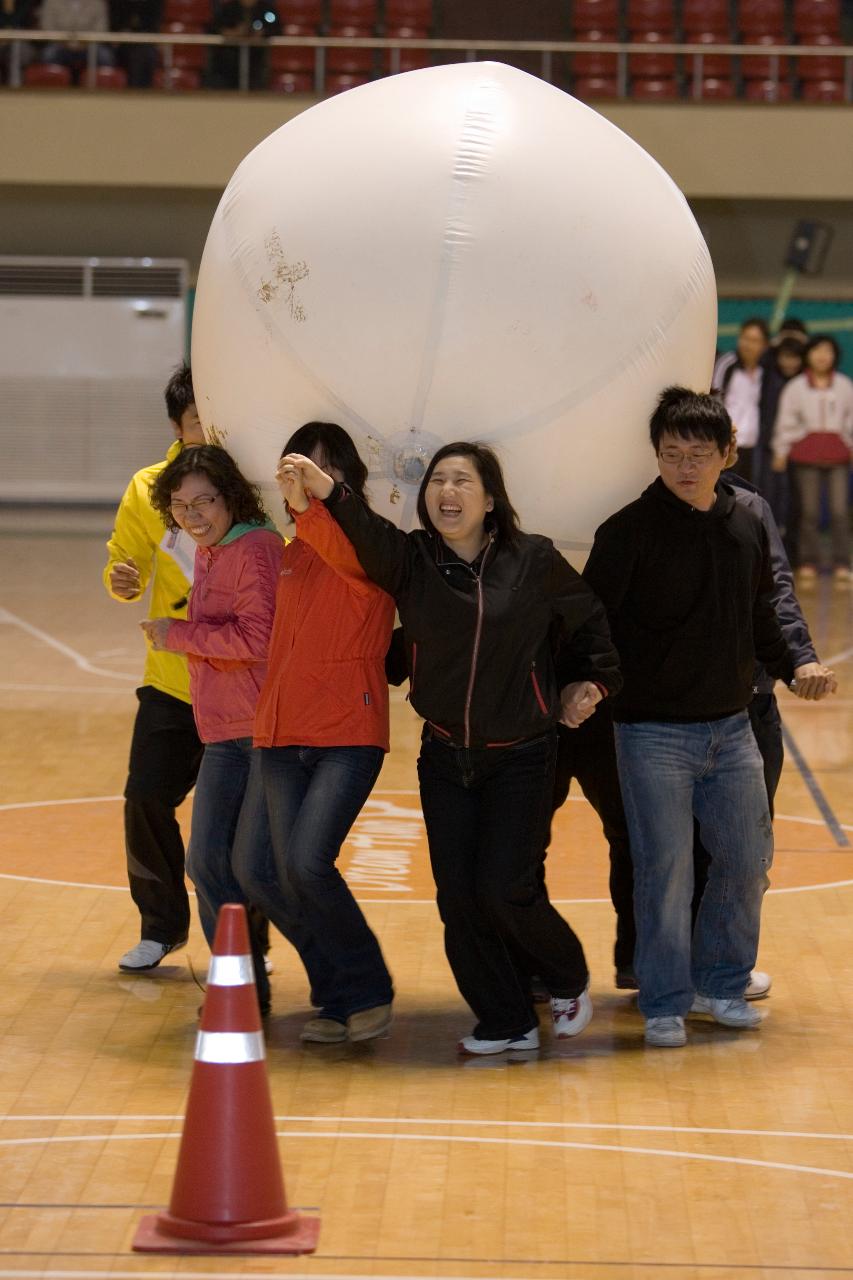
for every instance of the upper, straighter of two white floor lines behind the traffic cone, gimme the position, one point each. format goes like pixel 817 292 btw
pixel 451 1122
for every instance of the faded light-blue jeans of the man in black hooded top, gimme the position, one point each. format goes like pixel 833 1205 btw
pixel 669 775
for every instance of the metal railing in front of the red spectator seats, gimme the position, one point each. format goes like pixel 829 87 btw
pixel 469 51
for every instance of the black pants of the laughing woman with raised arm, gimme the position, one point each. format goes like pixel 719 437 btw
pixel 487 813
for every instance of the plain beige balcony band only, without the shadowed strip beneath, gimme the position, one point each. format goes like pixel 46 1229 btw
pixel 147 140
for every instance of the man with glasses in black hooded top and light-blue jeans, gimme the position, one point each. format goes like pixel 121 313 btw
pixel 685 574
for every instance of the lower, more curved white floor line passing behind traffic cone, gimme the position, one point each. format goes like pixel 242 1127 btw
pixel 464 1140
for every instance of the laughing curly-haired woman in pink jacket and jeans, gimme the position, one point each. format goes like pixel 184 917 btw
pixel 226 638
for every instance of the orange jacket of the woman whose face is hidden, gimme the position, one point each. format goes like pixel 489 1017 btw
pixel 326 683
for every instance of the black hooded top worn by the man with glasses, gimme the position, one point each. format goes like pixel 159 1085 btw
pixel 690 601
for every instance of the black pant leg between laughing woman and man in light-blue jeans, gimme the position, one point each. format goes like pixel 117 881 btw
pixel 589 755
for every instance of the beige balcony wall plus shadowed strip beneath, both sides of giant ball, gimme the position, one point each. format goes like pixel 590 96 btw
pixel 142 175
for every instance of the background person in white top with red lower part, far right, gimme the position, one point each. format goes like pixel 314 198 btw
pixel 814 433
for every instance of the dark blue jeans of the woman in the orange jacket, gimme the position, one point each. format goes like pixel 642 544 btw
pixel 313 798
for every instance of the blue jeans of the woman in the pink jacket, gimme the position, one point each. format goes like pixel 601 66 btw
pixel 226 799
